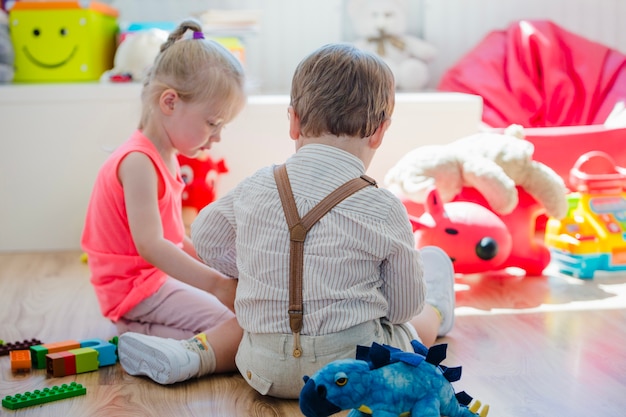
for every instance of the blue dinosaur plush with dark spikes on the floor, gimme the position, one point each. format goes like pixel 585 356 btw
pixel 384 381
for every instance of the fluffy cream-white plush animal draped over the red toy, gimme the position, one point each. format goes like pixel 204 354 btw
pixel 493 163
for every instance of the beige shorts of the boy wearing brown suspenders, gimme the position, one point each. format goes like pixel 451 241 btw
pixel 268 365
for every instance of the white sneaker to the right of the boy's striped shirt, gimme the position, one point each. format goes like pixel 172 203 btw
pixel 439 279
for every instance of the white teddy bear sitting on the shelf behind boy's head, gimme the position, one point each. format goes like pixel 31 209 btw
pixel 381 27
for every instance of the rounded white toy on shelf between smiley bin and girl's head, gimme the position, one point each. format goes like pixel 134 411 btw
pixel 135 54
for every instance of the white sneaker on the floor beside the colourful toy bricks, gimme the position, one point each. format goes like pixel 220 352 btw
pixel 165 361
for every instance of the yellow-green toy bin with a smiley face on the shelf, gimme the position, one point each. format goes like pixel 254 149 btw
pixel 62 41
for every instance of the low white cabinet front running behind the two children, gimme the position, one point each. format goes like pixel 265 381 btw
pixel 56 136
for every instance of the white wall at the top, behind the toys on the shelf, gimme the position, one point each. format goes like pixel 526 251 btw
pixel 289 29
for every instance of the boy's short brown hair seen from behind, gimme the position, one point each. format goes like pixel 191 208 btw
pixel 342 91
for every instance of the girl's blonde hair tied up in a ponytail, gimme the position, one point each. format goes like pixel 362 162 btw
pixel 197 69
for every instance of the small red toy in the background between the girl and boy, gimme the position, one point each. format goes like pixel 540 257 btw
pixel 200 175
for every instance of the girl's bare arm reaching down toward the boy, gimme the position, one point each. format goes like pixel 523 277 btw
pixel 140 182
